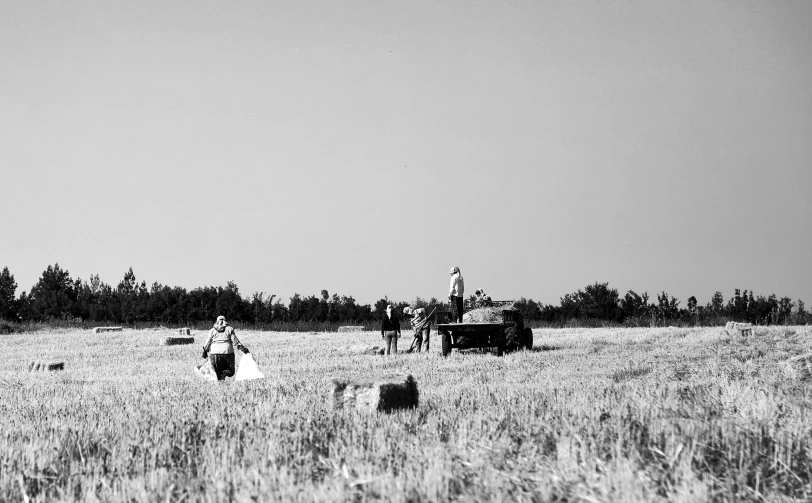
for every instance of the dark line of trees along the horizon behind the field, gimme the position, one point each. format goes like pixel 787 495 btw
pixel 56 297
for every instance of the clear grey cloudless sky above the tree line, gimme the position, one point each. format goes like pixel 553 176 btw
pixel 367 147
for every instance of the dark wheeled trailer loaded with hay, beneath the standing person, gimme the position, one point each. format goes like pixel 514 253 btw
pixel 498 326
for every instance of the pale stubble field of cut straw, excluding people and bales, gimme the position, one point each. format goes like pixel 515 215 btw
pixel 588 415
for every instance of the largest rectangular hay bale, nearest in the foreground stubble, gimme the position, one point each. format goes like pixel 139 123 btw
pixel 382 393
